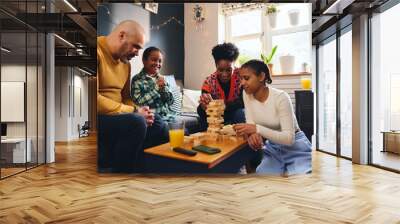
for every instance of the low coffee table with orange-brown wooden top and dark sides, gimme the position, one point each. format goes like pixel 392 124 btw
pixel 233 155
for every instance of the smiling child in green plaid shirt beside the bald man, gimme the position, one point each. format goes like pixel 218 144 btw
pixel 149 88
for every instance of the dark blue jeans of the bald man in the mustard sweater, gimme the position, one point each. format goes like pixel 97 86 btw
pixel 122 138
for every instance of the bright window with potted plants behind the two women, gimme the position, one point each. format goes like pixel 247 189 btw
pixel 292 36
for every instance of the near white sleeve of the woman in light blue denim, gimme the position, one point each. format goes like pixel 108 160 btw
pixel 286 135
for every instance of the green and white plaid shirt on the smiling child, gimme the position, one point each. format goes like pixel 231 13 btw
pixel 145 92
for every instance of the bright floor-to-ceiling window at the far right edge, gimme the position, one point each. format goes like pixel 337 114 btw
pixel 385 88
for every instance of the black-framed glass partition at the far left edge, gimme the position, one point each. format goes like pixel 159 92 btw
pixel 22 64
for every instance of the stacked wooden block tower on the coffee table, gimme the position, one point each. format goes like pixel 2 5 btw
pixel 215 111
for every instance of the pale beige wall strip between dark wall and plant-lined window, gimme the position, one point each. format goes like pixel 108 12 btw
pixel 199 43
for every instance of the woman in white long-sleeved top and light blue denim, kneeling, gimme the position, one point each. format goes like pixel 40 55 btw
pixel 269 115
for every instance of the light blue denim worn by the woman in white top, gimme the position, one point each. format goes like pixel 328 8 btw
pixel 283 159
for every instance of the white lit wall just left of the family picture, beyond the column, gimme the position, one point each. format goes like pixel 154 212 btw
pixel 69 81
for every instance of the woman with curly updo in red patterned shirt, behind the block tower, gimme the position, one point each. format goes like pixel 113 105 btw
pixel 224 84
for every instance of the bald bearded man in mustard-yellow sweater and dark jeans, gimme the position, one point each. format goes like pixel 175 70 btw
pixel 124 128
